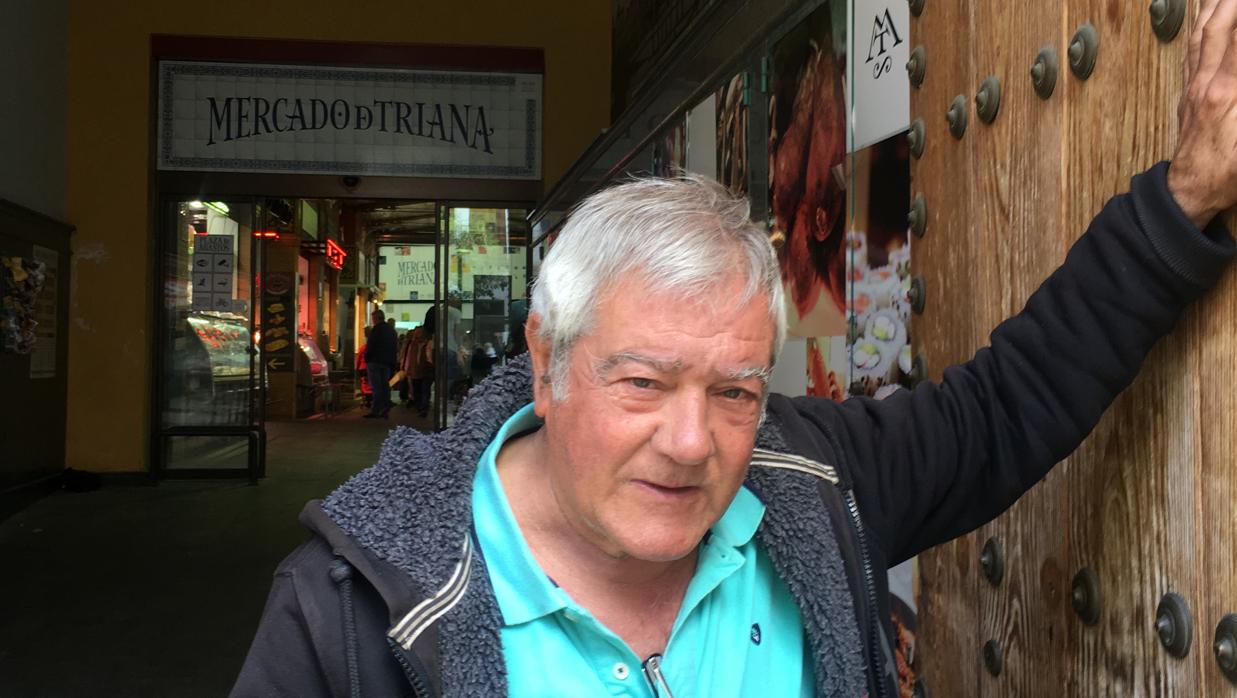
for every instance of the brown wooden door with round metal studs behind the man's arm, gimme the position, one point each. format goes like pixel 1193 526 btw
pixel 1150 502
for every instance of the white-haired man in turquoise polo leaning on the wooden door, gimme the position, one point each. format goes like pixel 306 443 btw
pixel 630 513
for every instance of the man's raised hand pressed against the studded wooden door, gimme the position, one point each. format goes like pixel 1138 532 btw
pixel 1203 178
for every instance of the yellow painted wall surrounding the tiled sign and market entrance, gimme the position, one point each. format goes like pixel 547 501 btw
pixel 108 158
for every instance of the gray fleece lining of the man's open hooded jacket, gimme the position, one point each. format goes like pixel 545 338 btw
pixel 414 511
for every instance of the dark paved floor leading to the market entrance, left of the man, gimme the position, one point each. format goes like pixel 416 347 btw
pixel 156 591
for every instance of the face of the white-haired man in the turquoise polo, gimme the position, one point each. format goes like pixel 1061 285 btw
pixel 655 436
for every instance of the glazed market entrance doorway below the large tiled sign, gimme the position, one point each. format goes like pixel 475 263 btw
pixel 264 306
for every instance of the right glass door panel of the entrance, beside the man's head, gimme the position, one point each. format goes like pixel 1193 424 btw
pixel 484 299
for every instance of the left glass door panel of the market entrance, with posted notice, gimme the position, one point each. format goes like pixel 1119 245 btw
pixel 208 411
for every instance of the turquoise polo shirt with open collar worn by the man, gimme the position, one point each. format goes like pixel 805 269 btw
pixel 738 633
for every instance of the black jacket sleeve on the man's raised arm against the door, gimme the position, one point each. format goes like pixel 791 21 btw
pixel 941 461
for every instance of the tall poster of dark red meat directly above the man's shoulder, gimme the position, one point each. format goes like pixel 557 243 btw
pixel 807 173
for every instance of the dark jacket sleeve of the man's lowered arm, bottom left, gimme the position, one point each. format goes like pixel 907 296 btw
pixel 283 660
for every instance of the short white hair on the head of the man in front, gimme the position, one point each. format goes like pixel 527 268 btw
pixel 687 236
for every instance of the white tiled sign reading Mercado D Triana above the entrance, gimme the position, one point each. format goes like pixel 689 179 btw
pixel 333 121
